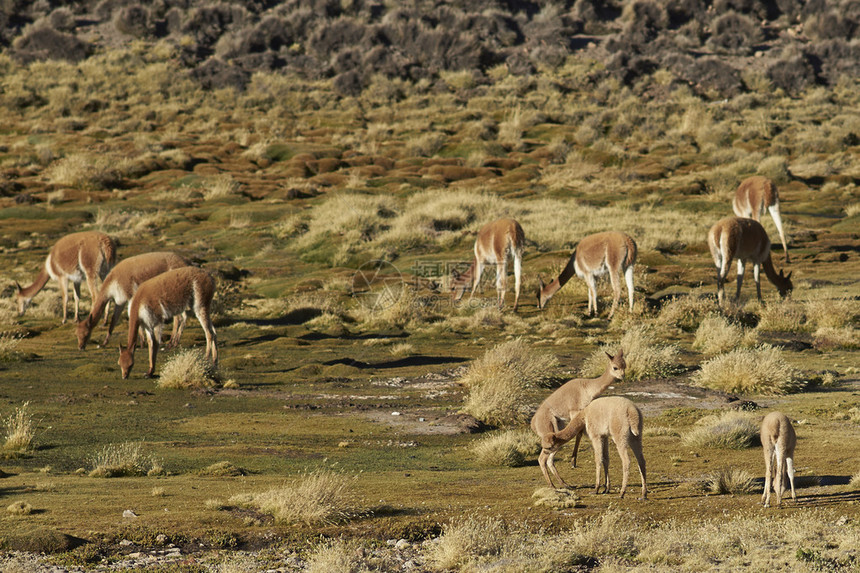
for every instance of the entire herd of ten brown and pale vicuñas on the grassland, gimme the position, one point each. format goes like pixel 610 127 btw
pixel 160 286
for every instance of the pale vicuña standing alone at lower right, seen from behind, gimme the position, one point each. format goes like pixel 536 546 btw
pixel 778 441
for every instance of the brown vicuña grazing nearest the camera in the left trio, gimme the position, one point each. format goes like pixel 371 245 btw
pixel 162 297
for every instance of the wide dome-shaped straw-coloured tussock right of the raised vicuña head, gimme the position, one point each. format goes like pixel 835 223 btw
pixel 760 370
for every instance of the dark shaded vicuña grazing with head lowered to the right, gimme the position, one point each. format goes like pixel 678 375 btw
pixel 747 240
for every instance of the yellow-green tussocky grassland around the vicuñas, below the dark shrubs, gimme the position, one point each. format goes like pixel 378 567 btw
pixel 331 221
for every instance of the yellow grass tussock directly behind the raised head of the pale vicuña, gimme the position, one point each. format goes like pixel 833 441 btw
pixel 644 357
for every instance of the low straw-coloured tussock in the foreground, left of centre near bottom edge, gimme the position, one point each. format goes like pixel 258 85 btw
pixel 319 497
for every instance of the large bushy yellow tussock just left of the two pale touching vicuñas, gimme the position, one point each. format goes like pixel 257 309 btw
pixel 498 381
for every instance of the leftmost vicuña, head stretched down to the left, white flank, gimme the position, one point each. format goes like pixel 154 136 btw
pixel 88 254
